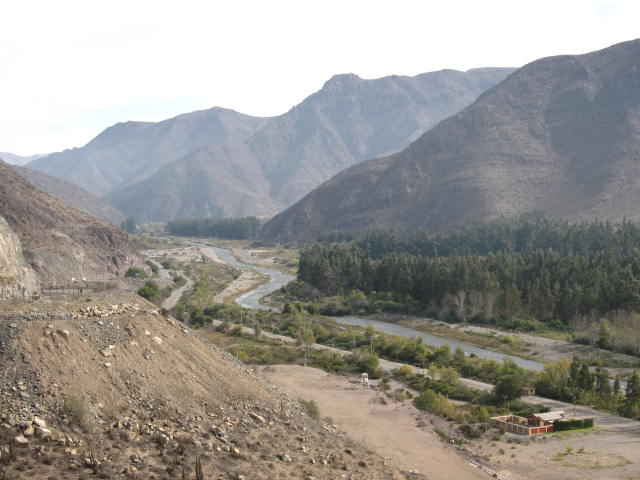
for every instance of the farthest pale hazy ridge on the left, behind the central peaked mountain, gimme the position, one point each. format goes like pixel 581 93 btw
pixel 132 151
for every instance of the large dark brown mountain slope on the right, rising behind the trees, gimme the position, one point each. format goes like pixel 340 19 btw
pixel 561 135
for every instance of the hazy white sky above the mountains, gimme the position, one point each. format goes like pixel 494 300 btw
pixel 69 69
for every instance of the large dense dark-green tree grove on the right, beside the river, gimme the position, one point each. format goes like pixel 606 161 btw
pixel 525 273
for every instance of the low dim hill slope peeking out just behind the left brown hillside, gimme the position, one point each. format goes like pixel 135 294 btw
pixel 72 195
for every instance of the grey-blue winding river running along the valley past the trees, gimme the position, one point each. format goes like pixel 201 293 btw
pixel 278 279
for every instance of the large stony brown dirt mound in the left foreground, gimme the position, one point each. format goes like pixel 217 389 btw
pixel 105 387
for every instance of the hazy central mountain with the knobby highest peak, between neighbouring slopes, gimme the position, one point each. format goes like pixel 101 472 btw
pixel 346 122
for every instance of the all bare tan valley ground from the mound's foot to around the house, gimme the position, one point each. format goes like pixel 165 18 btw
pixel 405 435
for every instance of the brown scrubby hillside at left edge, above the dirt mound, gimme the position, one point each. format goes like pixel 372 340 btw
pixel 58 241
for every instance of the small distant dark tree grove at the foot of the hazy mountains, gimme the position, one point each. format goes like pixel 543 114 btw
pixel 230 228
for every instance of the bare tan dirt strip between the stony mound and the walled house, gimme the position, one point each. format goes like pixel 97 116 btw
pixel 391 432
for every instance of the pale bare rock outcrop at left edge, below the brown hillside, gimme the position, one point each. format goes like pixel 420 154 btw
pixel 17 278
